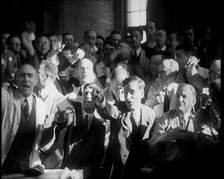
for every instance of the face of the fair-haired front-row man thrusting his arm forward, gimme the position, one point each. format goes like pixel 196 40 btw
pixel 133 95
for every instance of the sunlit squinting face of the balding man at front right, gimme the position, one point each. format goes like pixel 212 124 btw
pixel 185 99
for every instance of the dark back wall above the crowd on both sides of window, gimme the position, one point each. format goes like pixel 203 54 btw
pixel 76 16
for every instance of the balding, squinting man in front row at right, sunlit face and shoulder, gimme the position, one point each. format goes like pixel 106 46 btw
pixel 173 141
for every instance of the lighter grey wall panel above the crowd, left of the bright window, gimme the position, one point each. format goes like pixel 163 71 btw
pixel 81 15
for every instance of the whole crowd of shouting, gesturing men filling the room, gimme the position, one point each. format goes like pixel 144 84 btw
pixel 111 107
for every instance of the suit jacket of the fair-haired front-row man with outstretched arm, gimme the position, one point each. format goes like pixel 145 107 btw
pixel 123 140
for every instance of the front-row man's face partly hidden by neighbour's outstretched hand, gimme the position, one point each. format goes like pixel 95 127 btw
pixel 88 103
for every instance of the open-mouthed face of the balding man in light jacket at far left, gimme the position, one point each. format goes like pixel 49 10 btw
pixel 27 80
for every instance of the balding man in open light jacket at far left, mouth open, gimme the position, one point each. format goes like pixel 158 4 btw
pixel 23 115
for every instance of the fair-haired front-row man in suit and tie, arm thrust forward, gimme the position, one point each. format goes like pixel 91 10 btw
pixel 131 122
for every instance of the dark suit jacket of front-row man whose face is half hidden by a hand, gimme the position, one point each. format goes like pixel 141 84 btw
pixel 84 150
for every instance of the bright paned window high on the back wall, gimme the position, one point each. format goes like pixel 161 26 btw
pixel 136 13
